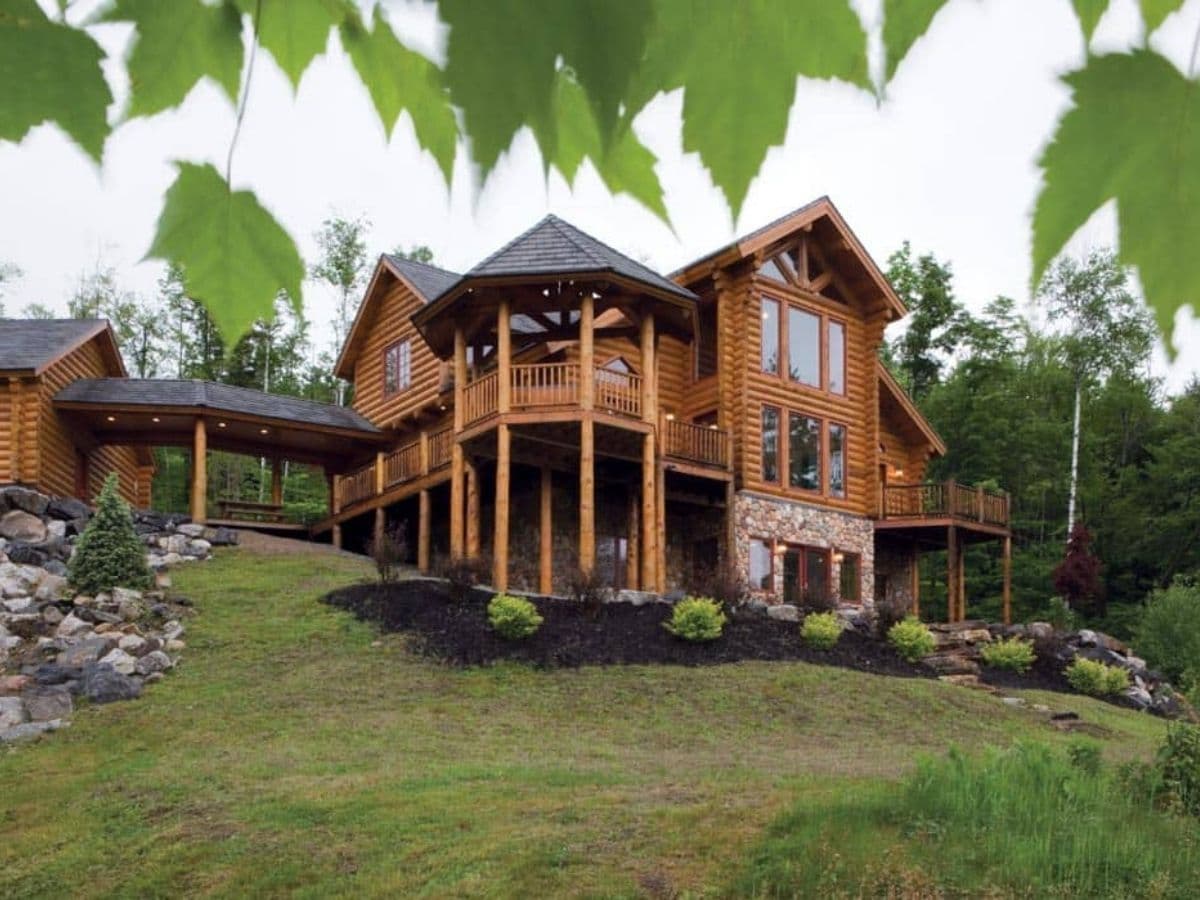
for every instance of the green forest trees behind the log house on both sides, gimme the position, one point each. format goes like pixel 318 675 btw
pixel 1000 386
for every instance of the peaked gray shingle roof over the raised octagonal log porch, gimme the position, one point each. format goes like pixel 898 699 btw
pixel 556 247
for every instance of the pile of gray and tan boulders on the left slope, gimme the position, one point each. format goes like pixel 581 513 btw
pixel 56 645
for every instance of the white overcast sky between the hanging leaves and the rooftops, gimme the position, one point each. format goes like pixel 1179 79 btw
pixel 949 163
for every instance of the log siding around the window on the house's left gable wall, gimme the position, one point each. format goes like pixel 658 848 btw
pixel 389 325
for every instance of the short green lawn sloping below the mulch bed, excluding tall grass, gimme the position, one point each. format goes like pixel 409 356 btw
pixel 296 752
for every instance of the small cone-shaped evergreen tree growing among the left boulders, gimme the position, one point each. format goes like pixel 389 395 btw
pixel 110 554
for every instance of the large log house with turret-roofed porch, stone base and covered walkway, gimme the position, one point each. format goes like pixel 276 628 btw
pixel 561 406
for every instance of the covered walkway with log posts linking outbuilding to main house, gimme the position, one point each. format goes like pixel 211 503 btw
pixel 205 416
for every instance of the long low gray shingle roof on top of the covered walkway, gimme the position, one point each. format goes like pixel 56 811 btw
pixel 209 395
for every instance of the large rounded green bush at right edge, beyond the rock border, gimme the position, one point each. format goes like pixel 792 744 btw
pixel 1169 633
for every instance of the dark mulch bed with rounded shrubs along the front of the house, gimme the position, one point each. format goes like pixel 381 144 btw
pixel 622 634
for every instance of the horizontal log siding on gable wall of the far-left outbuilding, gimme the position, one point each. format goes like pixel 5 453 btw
pixel 56 452
